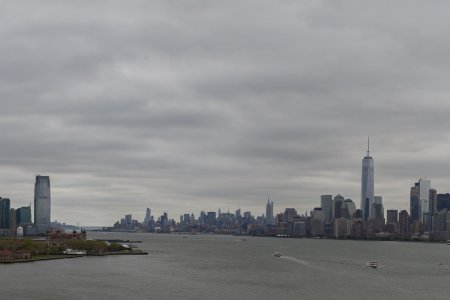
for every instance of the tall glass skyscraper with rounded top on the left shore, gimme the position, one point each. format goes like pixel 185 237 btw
pixel 42 204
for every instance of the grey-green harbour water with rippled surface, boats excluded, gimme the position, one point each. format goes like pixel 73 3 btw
pixel 227 267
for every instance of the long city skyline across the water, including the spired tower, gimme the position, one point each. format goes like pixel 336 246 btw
pixel 336 217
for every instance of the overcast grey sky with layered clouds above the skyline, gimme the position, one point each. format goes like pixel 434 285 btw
pixel 183 106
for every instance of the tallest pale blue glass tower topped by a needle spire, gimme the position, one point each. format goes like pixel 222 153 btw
pixel 367 184
